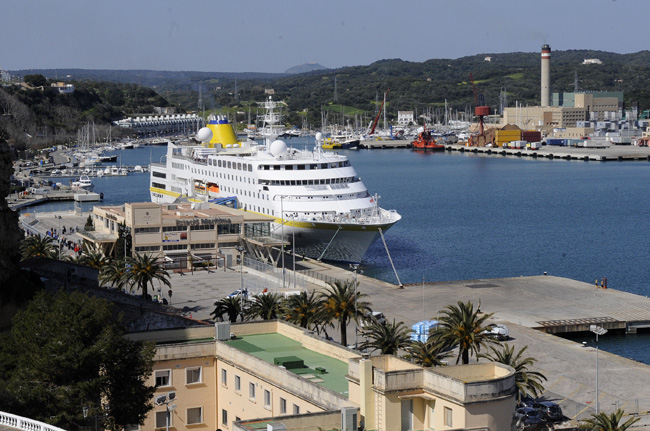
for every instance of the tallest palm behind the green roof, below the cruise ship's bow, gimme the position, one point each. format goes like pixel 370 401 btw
pixel 341 304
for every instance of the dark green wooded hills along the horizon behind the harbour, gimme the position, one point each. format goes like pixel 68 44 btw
pixel 418 86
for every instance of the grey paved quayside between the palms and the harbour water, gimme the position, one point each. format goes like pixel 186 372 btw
pixel 520 303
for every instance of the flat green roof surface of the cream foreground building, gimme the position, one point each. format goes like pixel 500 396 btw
pixel 318 368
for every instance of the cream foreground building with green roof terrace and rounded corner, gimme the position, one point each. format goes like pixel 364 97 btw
pixel 250 375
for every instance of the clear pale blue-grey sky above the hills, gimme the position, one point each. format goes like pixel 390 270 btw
pixel 274 35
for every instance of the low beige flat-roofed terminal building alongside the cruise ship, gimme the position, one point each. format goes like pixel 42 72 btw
pixel 178 233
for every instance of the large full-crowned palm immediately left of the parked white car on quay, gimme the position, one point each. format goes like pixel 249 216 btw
pixel 461 326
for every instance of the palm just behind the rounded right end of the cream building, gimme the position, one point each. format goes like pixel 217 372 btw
pixel 528 382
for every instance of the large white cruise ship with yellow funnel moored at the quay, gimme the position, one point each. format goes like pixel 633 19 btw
pixel 316 198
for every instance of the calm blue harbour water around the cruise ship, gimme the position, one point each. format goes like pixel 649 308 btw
pixel 467 216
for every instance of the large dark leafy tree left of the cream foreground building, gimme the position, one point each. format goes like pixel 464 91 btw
pixel 69 352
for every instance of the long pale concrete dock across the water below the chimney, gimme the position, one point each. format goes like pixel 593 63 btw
pixel 617 153
